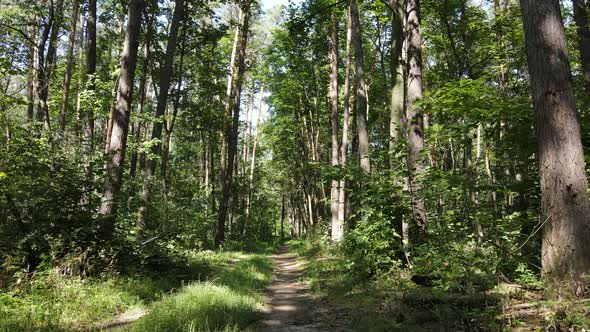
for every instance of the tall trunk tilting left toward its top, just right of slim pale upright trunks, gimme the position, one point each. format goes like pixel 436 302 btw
pixel 360 91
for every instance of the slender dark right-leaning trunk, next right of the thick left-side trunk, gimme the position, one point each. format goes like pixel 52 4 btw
pixel 165 77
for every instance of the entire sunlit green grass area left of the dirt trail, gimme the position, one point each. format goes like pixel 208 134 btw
pixel 223 292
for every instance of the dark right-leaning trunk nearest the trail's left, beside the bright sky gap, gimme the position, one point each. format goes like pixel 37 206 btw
pixel 233 134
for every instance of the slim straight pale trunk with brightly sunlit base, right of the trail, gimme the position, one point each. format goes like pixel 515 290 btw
pixel 337 228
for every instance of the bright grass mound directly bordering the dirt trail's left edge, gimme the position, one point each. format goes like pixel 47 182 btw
pixel 229 301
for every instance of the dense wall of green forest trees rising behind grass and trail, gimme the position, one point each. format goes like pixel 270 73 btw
pixel 446 137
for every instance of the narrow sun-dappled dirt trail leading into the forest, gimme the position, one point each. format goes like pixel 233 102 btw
pixel 290 306
